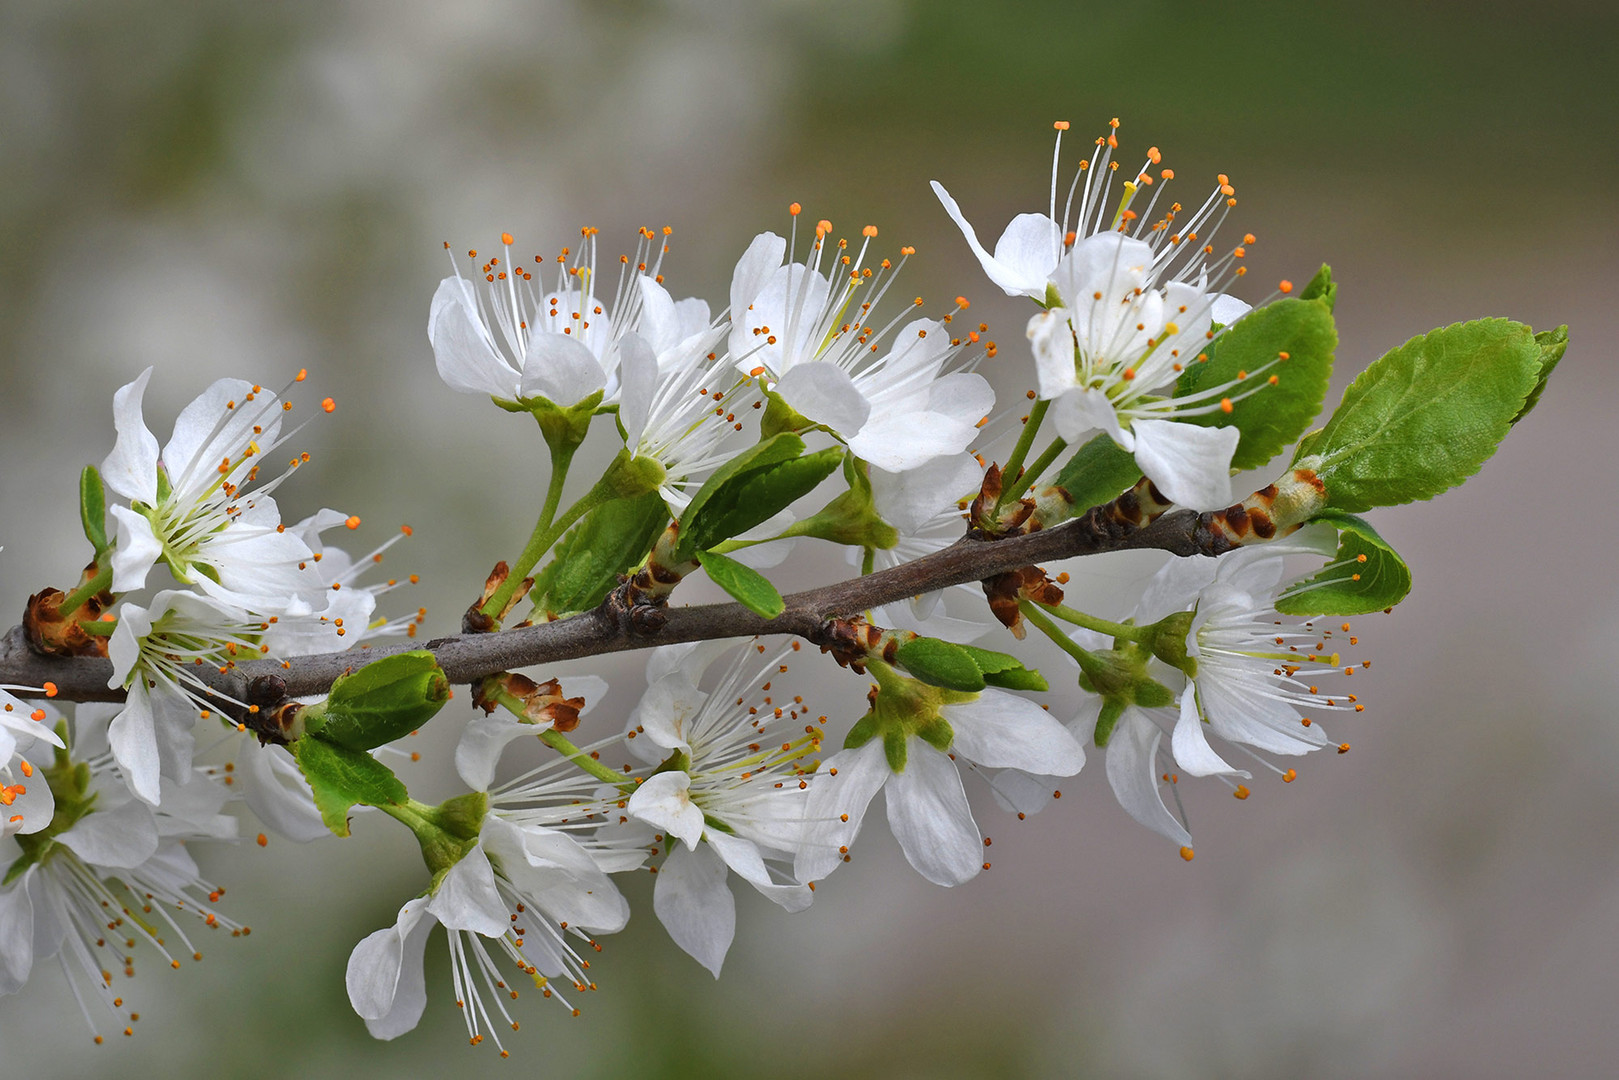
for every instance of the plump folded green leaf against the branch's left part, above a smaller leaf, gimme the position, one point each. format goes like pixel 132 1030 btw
pixel 381 702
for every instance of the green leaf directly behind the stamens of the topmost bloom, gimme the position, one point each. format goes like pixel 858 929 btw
pixel 1268 417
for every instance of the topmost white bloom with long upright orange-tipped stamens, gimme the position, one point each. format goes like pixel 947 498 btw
pixel 1132 300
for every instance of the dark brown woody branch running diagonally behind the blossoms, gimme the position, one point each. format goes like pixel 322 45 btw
pixel 1120 525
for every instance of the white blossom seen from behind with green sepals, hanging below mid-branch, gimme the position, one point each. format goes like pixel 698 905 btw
pixel 909 747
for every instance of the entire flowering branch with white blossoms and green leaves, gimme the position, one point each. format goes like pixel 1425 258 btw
pixel 815 407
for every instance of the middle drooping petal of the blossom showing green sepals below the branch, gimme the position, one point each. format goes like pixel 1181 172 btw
pixel 928 815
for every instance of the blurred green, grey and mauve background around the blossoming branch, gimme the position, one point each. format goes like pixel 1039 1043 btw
pixel 247 189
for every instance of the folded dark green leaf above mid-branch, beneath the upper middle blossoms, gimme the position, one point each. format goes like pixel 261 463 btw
pixel 752 488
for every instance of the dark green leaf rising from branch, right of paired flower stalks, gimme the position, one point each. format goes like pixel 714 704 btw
pixel 590 558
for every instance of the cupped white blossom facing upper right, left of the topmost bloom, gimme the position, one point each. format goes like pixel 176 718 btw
pixel 882 386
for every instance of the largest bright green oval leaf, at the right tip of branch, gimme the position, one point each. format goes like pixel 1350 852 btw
pixel 1427 415
